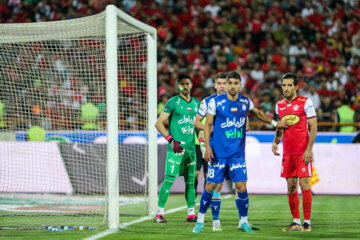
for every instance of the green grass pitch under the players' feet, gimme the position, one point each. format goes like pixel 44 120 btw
pixel 333 217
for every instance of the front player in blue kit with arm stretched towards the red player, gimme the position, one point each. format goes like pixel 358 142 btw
pixel 227 114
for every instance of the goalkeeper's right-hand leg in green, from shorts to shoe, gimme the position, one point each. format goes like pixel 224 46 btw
pixel 189 177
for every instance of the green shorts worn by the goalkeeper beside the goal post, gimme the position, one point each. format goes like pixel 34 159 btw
pixel 180 165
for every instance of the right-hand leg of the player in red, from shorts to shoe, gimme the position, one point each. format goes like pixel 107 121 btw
pixel 304 173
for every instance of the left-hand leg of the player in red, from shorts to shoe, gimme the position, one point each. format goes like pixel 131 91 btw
pixel 289 171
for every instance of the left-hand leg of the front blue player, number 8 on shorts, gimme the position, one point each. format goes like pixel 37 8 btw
pixel 214 176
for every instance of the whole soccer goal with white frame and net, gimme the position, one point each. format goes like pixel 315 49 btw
pixel 78 146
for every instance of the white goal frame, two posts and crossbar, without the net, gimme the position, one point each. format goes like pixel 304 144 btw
pixel 111 79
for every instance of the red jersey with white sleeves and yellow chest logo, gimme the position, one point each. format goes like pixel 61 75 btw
pixel 296 113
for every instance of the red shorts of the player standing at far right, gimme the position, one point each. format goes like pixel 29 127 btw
pixel 294 166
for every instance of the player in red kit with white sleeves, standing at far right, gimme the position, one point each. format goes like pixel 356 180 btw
pixel 300 113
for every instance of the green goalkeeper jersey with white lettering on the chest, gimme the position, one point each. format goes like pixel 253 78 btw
pixel 181 121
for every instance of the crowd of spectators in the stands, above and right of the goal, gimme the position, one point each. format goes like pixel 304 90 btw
pixel 319 40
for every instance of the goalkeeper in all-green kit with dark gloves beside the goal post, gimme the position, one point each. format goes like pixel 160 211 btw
pixel 181 157
